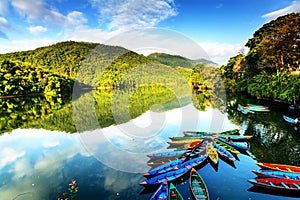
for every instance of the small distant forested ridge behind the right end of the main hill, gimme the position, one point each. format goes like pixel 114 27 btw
pixel 178 61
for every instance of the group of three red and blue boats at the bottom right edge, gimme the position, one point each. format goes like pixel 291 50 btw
pixel 277 177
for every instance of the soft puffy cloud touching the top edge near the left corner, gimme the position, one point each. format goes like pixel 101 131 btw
pixel 37 10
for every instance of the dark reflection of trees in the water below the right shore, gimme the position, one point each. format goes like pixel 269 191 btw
pixel 274 140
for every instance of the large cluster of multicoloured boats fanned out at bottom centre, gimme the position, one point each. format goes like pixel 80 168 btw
pixel 191 152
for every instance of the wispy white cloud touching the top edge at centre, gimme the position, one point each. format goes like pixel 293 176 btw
pixel 128 14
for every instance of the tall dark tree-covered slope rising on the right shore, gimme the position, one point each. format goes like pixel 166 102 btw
pixel 271 68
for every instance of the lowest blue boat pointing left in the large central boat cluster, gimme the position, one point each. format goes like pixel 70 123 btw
pixel 169 176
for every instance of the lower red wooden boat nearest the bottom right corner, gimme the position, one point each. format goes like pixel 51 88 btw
pixel 277 184
